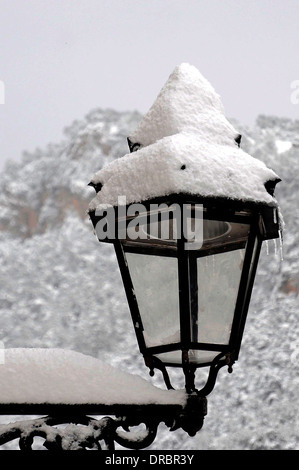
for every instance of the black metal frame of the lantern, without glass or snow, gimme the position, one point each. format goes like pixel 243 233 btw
pixel 263 221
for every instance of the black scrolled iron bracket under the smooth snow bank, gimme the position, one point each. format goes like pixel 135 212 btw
pixel 82 432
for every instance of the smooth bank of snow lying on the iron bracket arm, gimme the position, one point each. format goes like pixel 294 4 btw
pixel 55 376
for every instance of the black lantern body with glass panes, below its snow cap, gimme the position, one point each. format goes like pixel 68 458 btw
pixel 188 266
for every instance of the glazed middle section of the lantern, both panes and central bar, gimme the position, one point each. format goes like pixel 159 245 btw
pixel 197 315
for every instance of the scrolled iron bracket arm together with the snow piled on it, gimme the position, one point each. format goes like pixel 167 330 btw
pixel 79 395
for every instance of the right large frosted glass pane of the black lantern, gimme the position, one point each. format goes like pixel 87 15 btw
pixel 218 278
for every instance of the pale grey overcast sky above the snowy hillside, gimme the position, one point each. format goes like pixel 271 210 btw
pixel 61 58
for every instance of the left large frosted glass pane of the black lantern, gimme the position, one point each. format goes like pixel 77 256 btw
pixel 155 282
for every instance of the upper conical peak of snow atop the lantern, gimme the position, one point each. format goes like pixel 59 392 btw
pixel 186 103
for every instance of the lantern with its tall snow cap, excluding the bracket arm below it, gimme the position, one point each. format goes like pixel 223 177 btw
pixel 187 211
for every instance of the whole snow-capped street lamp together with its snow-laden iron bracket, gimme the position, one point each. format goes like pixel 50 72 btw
pixel 187 211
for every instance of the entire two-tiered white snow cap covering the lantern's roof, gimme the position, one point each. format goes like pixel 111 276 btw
pixel 184 144
